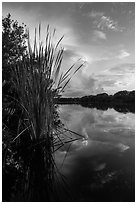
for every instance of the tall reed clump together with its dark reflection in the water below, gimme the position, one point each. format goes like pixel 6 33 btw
pixel 38 82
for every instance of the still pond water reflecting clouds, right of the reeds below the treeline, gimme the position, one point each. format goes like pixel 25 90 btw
pixel 100 167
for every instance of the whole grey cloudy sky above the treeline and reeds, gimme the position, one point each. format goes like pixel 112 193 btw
pixel 101 34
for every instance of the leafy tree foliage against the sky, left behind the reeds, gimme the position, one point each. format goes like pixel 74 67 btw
pixel 13 44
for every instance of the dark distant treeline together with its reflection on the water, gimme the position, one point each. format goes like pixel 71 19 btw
pixel 122 101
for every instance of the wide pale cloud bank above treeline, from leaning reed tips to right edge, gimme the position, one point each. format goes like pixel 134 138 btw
pixel 114 79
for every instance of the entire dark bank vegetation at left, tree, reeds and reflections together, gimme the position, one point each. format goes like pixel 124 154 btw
pixel 31 129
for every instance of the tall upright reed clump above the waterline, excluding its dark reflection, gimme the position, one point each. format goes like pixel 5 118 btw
pixel 37 81
